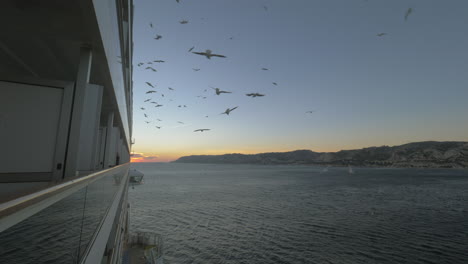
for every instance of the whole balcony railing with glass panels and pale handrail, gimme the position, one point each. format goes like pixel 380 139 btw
pixel 67 223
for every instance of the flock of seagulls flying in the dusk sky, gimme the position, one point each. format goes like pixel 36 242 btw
pixel 217 91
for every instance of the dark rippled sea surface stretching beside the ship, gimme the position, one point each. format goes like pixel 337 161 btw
pixel 301 214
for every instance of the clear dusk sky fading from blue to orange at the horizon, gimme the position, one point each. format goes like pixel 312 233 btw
pixel 325 56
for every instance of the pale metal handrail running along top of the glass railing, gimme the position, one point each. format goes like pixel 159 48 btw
pixel 27 205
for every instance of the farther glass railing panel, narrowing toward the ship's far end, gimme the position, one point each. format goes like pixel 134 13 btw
pixel 99 197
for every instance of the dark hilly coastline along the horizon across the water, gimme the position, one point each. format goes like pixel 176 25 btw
pixel 427 154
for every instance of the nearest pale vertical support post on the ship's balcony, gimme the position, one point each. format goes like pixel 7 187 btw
pixel 82 79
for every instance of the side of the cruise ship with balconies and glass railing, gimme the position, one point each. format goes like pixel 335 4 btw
pixel 66 107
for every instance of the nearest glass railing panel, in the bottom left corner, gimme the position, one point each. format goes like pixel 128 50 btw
pixel 50 236
